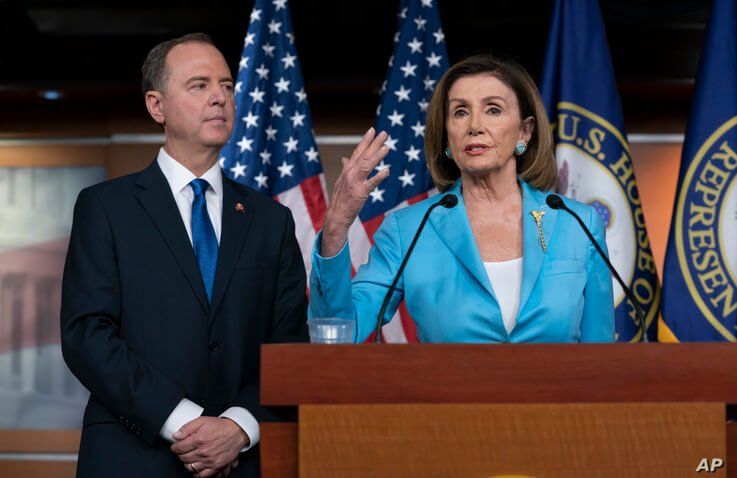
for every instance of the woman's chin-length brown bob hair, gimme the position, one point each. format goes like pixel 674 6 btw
pixel 536 166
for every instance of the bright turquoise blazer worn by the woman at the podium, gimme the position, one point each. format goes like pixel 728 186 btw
pixel 566 293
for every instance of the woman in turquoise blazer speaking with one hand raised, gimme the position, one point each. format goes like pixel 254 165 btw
pixel 501 266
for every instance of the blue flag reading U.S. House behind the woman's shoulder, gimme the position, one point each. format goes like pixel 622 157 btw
pixel 593 156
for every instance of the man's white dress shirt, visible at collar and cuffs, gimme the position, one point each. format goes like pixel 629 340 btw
pixel 179 178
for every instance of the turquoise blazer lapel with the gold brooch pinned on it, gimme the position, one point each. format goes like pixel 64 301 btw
pixel 532 250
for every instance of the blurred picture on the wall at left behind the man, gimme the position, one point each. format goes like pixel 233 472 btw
pixel 37 391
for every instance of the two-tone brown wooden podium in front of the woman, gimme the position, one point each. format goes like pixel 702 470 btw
pixel 523 410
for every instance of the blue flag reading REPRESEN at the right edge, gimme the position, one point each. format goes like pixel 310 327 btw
pixel 699 282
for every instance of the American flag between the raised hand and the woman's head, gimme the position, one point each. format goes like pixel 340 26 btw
pixel 418 62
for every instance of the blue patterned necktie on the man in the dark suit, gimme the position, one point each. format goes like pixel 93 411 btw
pixel 203 236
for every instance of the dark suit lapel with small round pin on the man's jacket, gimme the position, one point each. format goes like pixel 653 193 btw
pixel 236 223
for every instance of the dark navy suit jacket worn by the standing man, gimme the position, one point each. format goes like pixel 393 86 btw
pixel 137 328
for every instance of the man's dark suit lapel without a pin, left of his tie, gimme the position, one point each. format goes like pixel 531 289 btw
pixel 156 198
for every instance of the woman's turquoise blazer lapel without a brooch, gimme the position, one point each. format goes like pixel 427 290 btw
pixel 454 229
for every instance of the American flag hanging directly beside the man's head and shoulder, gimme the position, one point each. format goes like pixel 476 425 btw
pixel 272 148
